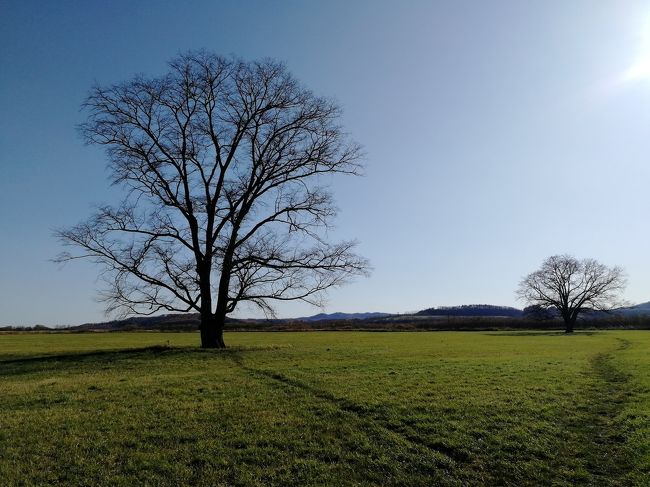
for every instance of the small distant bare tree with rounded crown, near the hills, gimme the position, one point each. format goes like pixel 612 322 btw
pixel 573 286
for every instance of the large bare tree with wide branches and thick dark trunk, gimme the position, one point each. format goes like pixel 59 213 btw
pixel 225 164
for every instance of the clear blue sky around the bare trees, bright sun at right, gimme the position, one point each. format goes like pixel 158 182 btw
pixel 497 134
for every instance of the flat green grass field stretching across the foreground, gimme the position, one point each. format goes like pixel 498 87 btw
pixel 334 408
